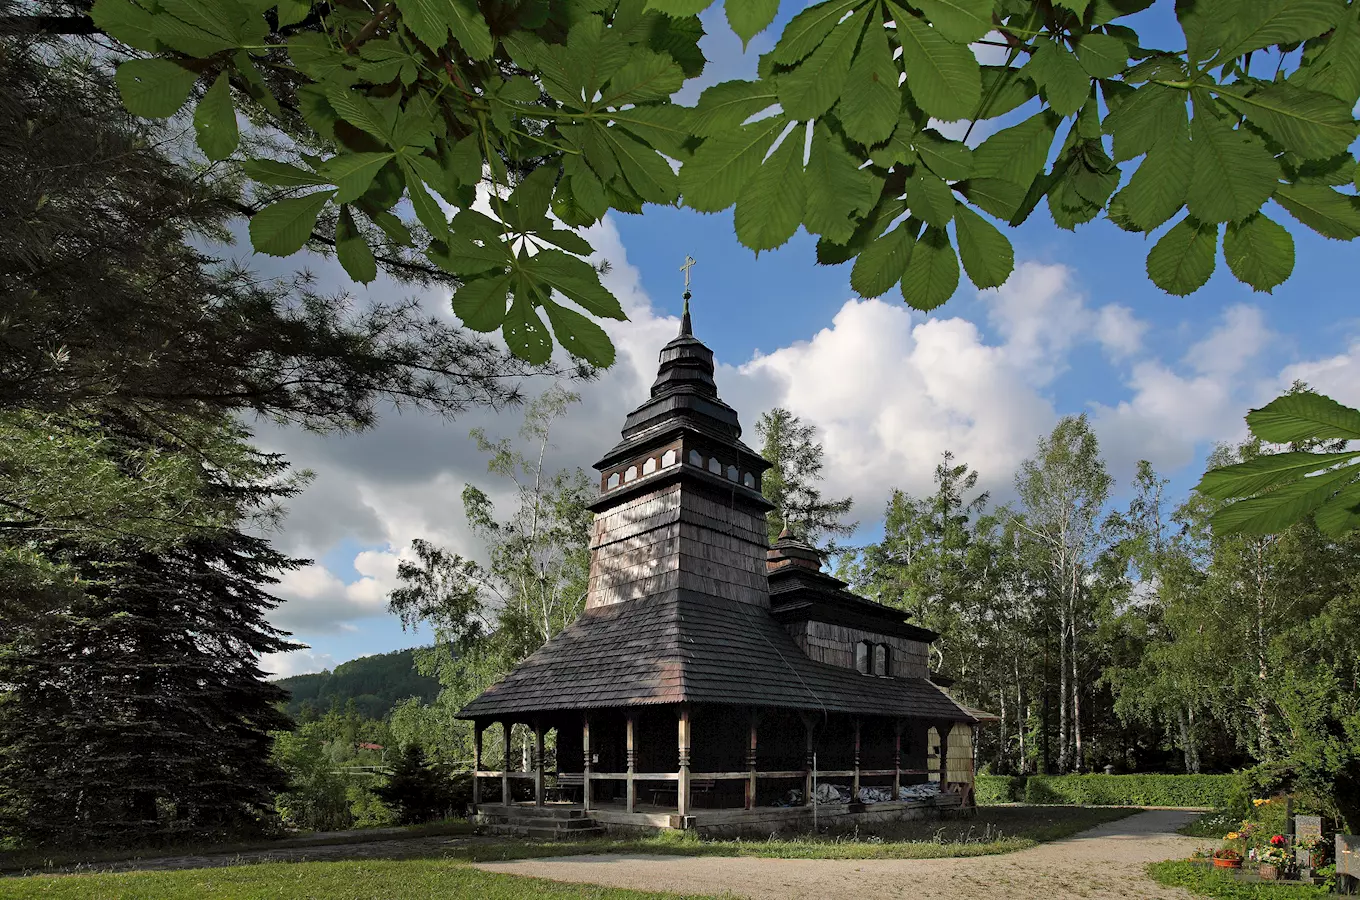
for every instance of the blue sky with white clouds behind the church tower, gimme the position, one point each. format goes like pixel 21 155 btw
pixel 1079 328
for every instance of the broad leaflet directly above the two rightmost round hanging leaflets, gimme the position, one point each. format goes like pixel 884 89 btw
pixel 1233 173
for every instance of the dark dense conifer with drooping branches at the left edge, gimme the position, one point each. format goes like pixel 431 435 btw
pixel 135 710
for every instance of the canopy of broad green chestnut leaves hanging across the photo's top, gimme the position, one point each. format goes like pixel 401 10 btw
pixel 566 107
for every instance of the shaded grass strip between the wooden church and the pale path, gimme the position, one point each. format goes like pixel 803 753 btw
pixel 992 831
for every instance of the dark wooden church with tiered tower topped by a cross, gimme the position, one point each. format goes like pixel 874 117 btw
pixel 715 682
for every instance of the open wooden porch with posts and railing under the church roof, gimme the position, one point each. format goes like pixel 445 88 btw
pixel 715 766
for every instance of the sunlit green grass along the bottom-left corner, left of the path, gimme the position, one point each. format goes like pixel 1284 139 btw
pixel 354 880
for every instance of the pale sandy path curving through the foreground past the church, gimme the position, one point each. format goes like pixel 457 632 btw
pixel 1102 864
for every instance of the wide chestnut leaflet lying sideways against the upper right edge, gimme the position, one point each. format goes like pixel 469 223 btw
pixel 1310 124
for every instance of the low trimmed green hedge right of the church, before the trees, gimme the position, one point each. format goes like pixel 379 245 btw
pixel 1108 791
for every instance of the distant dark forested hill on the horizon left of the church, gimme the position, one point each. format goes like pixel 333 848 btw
pixel 376 685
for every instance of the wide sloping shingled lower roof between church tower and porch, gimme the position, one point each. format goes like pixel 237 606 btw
pixel 682 646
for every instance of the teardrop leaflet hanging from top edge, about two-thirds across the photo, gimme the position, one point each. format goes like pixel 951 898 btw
pixel 942 77
